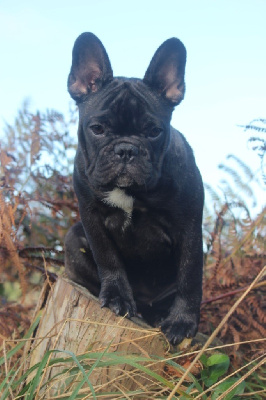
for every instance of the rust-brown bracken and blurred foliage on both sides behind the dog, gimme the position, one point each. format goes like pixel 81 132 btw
pixel 38 205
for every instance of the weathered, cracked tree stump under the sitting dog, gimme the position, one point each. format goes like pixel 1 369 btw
pixel 73 321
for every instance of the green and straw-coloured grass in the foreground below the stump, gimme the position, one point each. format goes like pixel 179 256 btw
pixel 61 374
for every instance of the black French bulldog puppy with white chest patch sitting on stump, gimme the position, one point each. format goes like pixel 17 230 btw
pixel 139 243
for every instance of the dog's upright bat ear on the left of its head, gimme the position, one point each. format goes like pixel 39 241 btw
pixel 91 68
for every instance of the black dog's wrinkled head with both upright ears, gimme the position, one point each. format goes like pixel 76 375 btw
pixel 124 125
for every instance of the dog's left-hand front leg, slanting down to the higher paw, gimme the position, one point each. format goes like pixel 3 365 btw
pixel 115 292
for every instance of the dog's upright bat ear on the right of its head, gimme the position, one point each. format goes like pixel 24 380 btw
pixel 166 72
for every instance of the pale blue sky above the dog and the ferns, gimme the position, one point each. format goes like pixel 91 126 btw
pixel 225 75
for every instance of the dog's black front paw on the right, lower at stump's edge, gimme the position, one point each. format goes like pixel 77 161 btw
pixel 177 329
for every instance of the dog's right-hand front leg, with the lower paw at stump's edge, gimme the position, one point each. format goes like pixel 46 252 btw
pixel 184 314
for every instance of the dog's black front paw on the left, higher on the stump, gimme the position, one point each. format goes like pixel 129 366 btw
pixel 118 299
